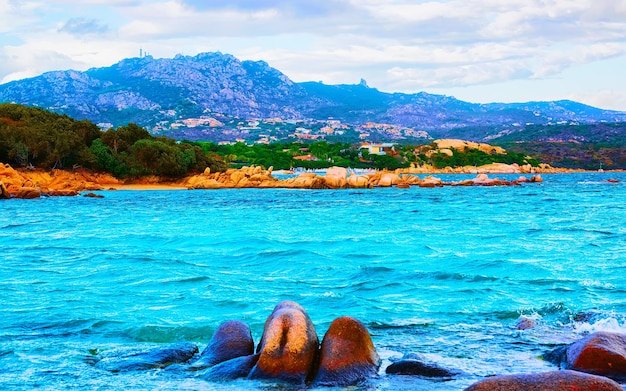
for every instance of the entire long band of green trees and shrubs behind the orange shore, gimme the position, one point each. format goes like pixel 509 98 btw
pixel 33 137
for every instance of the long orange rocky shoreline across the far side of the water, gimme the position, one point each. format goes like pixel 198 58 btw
pixel 36 183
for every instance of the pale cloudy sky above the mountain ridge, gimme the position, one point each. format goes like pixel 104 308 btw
pixel 475 50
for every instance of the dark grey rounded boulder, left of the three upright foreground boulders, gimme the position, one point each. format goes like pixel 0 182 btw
pixel 232 339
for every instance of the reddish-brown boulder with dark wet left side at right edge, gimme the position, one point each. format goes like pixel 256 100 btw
pixel 601 353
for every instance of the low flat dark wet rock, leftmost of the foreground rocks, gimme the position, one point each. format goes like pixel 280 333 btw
pixel 124 361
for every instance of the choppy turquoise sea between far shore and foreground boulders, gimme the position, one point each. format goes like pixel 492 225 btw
pixel 444 272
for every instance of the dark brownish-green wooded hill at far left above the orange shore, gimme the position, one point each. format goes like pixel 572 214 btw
pixel 32 137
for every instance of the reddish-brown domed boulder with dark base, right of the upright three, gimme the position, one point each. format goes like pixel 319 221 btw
pixel 348 355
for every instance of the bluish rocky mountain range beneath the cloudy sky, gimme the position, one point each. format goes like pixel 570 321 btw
pixel 151 92
